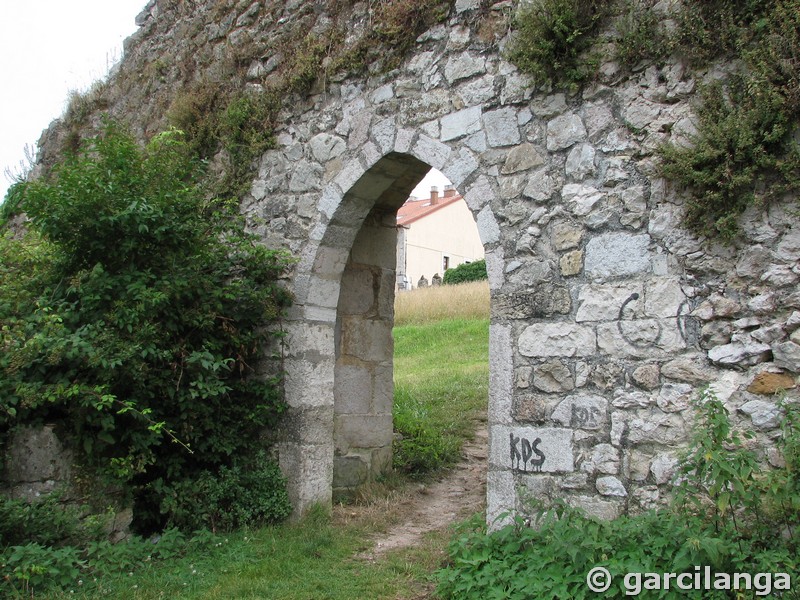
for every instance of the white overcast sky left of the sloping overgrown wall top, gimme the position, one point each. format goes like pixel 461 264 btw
pixel 50 48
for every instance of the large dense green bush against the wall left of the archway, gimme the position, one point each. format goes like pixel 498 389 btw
pixel 139 320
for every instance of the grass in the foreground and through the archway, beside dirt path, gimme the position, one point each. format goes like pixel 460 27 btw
pixel 441 380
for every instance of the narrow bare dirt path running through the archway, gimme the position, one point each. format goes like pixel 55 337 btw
pixel 459 494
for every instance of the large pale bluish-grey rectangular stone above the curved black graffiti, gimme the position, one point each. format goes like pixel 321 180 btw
pixel 617 255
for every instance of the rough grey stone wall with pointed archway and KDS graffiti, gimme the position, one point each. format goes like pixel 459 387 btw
pixel 606 314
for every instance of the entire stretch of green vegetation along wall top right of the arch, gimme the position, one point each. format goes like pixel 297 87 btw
pixel 745 151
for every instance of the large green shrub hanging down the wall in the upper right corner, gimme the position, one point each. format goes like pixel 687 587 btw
pixel 744 153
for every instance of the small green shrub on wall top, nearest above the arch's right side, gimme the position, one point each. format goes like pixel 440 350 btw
pixel 552 37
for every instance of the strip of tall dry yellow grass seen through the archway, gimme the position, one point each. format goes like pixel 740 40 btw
pixel 427 305
